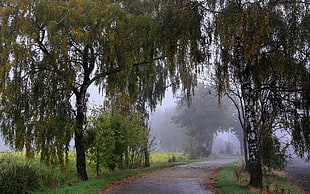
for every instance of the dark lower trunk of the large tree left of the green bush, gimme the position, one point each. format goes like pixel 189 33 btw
pixel 79 137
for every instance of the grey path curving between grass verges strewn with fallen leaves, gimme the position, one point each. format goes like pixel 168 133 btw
pixel 190 178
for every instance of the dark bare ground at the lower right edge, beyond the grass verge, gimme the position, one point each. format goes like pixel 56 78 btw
pixel 300 171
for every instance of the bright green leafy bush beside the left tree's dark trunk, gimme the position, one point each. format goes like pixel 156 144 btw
pixel 117 141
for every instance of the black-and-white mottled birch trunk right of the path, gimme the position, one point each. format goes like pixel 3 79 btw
pixel 251 121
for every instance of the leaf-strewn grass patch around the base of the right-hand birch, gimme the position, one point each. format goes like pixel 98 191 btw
pixel 274 182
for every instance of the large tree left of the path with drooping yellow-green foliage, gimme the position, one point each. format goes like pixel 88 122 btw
pixel 53 51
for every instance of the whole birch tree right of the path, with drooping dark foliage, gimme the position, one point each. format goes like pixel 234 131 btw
pixel 262 56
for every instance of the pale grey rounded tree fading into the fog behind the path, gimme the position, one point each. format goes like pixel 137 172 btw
pixel 200 116
